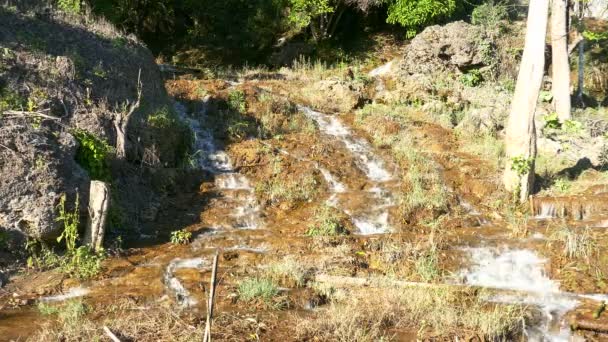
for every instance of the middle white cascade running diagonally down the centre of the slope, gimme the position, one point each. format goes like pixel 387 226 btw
pixel 373 219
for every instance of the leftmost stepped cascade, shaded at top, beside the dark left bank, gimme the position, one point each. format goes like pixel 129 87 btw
pixel 208 156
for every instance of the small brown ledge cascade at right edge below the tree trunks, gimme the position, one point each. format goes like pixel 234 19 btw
pixel 573 207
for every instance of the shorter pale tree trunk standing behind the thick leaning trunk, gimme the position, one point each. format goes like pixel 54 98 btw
pixel 560 64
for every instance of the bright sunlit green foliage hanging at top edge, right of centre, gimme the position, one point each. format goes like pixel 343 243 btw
pixel 415 14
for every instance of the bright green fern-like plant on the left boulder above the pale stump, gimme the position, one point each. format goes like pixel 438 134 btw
pixel 93 154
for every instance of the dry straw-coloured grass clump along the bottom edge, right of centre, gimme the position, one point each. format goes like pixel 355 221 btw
pixel 445 312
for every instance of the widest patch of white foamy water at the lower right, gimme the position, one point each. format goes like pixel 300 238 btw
pixel 523 270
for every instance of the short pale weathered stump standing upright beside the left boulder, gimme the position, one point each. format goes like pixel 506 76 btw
pixel 99 203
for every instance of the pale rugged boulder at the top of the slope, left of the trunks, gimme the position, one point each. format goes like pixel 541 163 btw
pixel 453 47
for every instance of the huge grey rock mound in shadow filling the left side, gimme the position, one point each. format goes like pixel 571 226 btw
pixel 78 72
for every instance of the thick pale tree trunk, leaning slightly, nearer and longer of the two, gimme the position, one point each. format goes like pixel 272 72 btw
pixel 521 134
